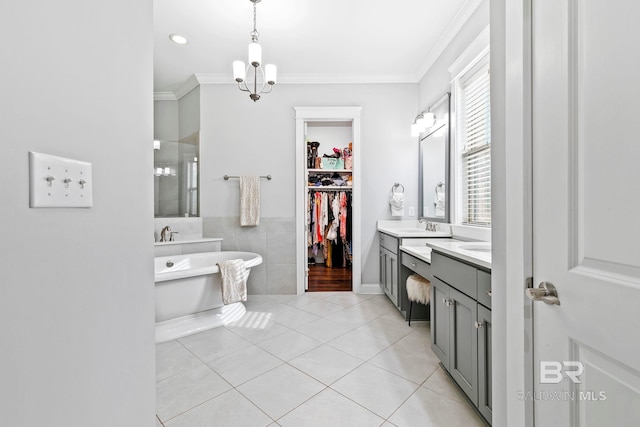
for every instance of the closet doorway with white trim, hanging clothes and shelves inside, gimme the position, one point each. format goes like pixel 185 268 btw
pixel 327 199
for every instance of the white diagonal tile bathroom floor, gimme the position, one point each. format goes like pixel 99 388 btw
pixel 319 359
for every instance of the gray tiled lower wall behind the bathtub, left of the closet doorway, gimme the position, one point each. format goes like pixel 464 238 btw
pixel 274 239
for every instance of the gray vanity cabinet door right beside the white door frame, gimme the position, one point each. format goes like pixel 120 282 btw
pixel 484 362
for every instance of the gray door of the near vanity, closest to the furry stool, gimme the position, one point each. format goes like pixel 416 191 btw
pixel 440 320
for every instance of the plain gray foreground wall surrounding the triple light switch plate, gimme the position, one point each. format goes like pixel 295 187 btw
pixel 76 293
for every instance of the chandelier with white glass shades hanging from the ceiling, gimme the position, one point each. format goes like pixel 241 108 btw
pixel 242 74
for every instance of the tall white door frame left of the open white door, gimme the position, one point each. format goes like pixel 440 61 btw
pixel 512 231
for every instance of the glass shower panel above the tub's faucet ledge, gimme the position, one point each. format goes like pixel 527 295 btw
pixel 176 177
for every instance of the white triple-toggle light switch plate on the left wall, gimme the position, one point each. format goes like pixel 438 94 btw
pixel 57 182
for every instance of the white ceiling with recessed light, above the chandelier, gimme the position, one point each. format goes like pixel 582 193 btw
pixel 309 40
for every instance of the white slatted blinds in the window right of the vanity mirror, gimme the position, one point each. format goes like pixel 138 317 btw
pixel 476 149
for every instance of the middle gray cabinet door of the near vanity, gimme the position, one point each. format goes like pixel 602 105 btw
pixel 464 343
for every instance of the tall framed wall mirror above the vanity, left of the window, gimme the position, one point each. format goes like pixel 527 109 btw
pixel 434 164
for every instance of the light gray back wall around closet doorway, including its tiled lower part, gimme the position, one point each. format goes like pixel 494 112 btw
pixel 240 137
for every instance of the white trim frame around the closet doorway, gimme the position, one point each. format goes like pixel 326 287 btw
pixel 328 114
